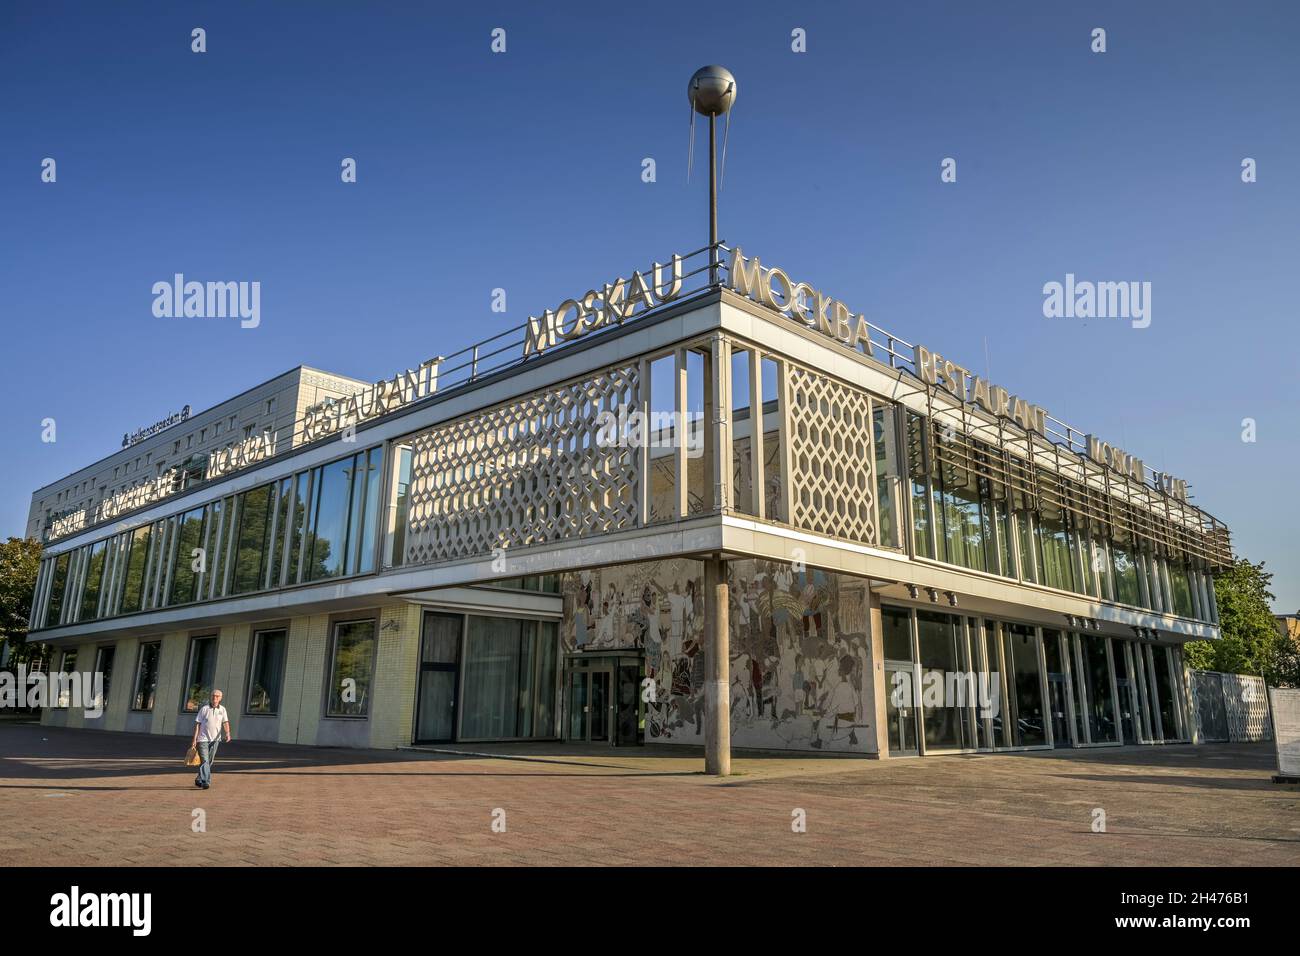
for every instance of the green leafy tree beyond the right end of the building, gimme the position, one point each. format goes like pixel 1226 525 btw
pixel 1251 642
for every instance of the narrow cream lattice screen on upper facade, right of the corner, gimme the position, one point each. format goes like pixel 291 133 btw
pixel 831 460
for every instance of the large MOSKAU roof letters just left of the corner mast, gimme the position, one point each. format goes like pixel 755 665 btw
pixel 616 304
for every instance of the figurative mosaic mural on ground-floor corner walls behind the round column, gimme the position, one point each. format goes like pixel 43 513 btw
pixel 800 652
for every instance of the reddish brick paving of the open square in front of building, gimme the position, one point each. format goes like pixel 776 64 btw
pixel 90 798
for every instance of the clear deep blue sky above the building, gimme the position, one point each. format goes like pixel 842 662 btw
pixel 523 171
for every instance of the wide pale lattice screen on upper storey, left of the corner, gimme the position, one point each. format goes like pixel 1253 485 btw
pixel 525 474
